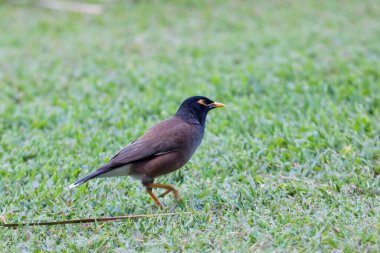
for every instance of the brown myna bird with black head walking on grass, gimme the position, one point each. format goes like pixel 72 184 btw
pixel 164 148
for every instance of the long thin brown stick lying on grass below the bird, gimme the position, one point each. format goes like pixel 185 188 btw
pixel 14 225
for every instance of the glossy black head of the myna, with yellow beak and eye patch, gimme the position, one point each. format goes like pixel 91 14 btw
pixel 195 109
